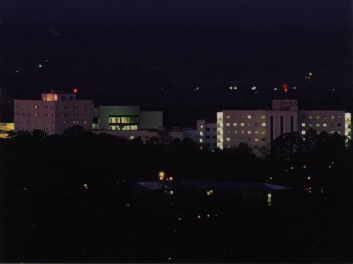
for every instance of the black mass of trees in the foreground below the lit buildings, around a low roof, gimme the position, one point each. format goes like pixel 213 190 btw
pixel 67 198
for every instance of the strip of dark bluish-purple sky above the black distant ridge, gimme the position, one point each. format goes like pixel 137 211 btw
pixel 243 13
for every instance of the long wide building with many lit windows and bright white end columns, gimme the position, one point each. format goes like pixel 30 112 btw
pixel 259 128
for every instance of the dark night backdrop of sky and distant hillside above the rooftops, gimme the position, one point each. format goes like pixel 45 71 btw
pixel 178 56
